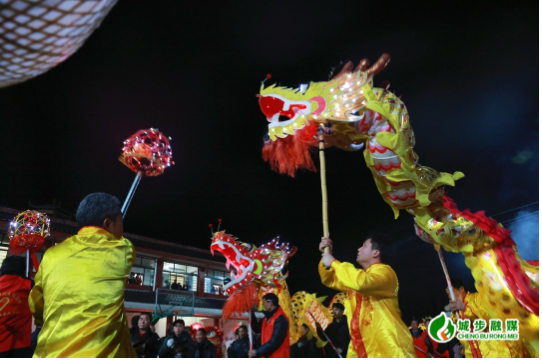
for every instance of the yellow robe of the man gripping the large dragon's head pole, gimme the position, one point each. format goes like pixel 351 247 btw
pixel 372 308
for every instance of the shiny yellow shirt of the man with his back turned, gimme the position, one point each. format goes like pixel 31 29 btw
pixel 79 297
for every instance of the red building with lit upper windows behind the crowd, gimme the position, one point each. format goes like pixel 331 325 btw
pixel 168 279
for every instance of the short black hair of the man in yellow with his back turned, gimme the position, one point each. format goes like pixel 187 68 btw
pixel 96 208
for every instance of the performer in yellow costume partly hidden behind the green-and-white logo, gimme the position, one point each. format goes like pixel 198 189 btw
pixel 469 307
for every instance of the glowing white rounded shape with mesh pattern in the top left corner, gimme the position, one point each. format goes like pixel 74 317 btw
pixel 36 35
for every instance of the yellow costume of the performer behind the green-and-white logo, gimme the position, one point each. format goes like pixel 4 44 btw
pixel 486 349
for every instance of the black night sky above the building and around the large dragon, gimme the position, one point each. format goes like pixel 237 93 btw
pixel 468 72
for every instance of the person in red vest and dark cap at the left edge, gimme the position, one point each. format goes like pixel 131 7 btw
pixel 15 316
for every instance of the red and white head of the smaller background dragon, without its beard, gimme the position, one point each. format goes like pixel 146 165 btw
pixel 250 264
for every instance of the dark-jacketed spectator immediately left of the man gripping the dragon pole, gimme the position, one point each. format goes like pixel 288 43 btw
pixel 337 332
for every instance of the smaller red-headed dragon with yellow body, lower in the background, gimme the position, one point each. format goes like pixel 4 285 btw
pixel 258 271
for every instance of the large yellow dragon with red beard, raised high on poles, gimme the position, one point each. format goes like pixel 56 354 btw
pixel 353 113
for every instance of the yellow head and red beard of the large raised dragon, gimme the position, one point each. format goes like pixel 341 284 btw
pixel 295 114
